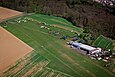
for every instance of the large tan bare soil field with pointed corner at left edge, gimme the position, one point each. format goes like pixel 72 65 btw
pixel 11 49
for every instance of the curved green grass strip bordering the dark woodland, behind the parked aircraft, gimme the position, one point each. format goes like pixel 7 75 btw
pixel 52 20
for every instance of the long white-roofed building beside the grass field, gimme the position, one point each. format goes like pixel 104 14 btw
pixel 87 48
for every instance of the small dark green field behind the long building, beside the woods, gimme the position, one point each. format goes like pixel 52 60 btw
pixel 103 42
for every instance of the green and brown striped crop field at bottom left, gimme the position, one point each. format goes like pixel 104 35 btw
pixel 32 65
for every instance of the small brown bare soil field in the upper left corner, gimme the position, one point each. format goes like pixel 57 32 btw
pixel 6 13
